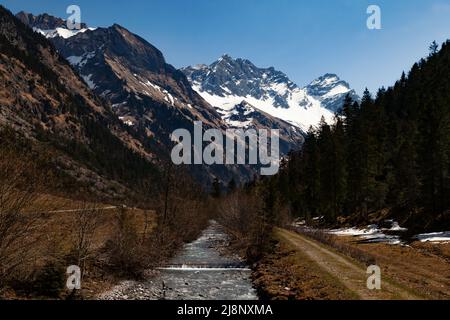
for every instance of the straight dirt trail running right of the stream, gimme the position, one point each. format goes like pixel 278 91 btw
pixel 351 274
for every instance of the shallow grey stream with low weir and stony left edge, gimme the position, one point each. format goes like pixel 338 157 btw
pixel 198 272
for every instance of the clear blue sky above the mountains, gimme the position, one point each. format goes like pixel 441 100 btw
pixel 304 39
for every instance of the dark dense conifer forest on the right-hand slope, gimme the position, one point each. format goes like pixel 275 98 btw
pixel 387 154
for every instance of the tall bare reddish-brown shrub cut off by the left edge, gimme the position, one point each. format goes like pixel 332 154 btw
pixel 20 219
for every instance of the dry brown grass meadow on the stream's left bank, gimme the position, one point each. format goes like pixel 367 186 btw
pixel 74 237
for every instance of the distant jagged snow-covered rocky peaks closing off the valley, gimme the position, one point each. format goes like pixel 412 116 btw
pixel 227 82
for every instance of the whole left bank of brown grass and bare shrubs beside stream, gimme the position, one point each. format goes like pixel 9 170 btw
pixel 43 233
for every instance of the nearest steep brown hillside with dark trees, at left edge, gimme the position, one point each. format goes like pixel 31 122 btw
pixel 46 103
